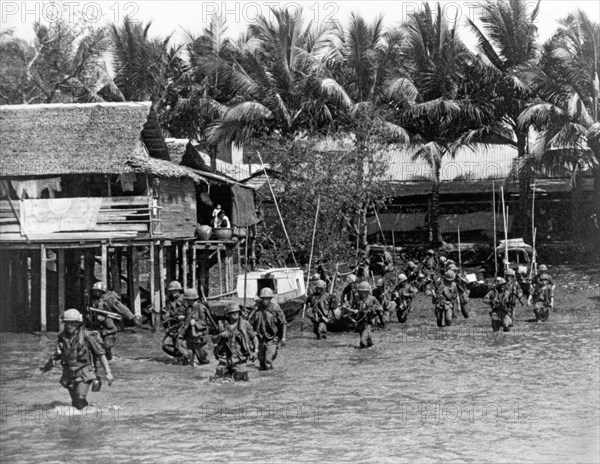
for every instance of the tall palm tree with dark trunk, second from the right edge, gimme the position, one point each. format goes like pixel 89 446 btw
pixel 507 44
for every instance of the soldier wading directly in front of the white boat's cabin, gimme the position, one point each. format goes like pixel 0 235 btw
pixel 268 321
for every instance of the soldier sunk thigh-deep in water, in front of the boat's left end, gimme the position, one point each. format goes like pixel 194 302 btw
pixel 235 345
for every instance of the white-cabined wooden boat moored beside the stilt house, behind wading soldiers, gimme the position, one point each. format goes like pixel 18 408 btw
pixel 287 284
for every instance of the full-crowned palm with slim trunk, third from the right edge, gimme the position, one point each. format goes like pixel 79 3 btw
pixel 432 101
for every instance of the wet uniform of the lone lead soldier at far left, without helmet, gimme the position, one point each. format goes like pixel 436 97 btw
pixel 77 355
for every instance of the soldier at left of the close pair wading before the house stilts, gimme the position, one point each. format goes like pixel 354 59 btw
pixel 172 319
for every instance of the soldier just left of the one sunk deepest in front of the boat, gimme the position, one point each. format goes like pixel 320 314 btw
pixel 194 329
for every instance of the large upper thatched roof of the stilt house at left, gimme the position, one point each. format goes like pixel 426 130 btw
pixel 54 139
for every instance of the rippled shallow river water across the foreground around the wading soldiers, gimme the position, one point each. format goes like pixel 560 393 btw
pixel 420 395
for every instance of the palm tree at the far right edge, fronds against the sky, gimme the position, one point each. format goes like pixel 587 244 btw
pixel 566 113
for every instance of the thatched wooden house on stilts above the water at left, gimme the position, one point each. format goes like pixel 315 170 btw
pixel 87 192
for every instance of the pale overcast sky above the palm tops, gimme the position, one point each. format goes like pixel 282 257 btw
pixel 179 16
